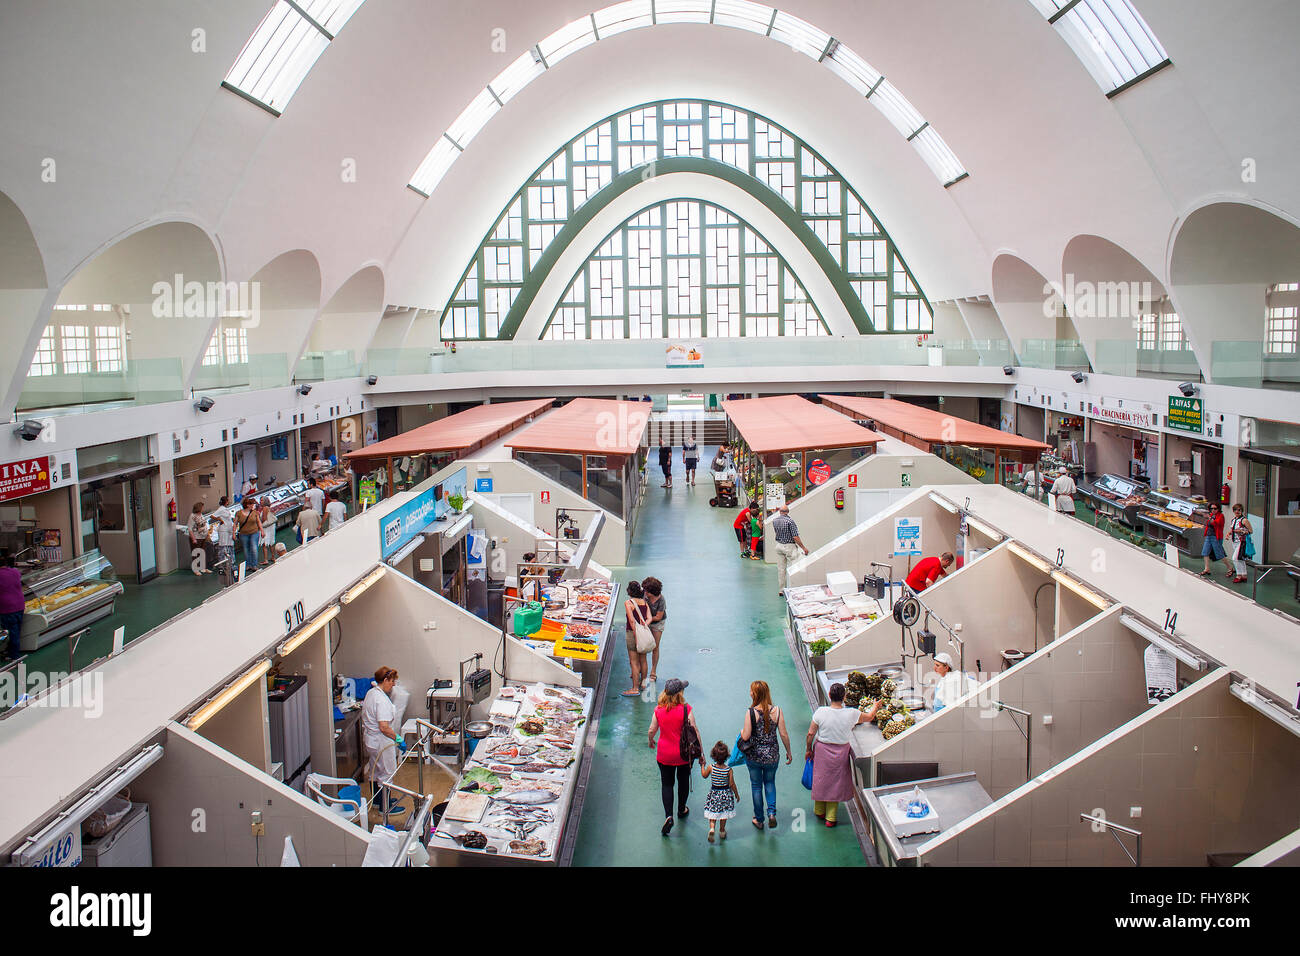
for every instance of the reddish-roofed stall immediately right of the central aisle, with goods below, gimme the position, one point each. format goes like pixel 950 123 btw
pixel 786 445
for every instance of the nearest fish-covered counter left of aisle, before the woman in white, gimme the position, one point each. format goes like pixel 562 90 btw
pixel 526 776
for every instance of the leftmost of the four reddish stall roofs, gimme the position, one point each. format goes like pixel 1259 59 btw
pixel 405 460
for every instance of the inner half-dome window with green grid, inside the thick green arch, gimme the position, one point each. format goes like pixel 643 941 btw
pixel 684 270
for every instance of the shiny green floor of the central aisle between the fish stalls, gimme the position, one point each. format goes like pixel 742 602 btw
pixel 725 630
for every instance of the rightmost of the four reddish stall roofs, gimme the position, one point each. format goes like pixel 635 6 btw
pixel 987 455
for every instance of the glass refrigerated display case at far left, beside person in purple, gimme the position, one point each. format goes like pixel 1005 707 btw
pixel 67 598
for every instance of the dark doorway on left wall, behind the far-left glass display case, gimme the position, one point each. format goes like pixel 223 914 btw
pixel 118 520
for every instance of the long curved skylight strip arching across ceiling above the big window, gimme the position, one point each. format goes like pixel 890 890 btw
pixel 740 15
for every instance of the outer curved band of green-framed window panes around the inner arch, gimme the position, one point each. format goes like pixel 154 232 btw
pixel 852 244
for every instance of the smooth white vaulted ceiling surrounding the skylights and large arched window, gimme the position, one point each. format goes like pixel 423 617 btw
pixel 138 128
